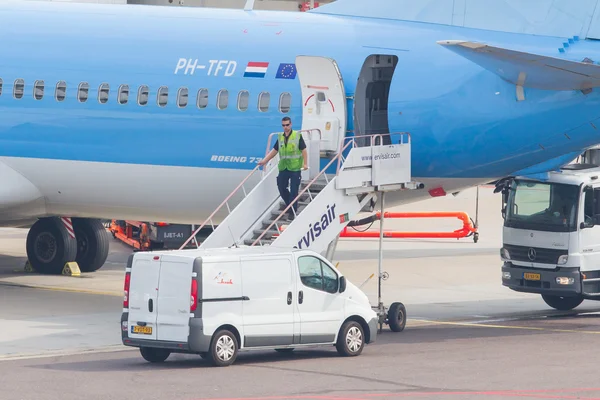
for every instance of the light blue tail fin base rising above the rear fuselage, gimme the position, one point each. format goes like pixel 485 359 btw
pixel 562 18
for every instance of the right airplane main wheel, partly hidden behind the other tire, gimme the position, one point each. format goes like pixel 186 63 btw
pixel 92 243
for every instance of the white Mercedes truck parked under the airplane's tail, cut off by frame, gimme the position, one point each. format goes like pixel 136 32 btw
pixel 551 235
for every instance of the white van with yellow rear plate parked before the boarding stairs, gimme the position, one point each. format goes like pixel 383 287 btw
pixel 215 302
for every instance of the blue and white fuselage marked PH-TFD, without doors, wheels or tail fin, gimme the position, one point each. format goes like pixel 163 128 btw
pixel 98 158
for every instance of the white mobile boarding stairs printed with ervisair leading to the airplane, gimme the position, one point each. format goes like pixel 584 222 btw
pixel 329 197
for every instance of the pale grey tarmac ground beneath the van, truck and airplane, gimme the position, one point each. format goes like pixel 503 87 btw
pixel 467 337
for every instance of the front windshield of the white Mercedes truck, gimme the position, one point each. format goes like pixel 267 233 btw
pixel 542 206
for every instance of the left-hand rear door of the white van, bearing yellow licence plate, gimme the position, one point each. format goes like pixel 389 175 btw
pixel 143 289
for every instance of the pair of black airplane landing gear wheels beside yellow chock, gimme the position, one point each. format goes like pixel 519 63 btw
pixel 51 244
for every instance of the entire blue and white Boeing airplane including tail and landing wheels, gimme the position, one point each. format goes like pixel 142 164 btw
pixel 153 113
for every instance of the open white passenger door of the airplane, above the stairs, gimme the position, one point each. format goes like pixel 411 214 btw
pixel 323 100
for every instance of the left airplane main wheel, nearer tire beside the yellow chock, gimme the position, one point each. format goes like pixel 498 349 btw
pixel 49 246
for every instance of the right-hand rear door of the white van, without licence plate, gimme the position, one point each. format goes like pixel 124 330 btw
pixel 175 284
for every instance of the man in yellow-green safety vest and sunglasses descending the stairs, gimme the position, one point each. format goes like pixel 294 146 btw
pixel 292 160
